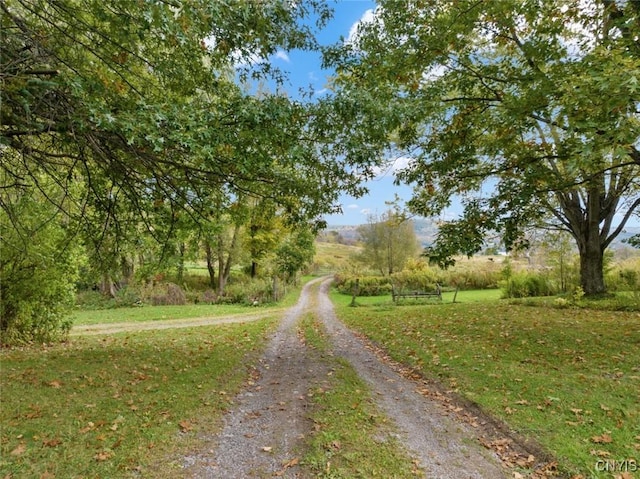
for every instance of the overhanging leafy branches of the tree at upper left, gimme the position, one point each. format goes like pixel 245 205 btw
pixel 144 96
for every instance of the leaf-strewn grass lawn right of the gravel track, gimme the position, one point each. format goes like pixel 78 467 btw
pixel 569 378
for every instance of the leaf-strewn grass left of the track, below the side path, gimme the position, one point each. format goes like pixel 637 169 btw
pixel 127 404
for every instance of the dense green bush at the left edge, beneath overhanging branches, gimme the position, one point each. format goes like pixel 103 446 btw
pixel 38 270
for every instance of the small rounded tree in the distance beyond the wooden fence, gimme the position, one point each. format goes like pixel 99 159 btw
pixel 388 242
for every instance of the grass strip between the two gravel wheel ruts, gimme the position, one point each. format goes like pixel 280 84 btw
pixel 351 437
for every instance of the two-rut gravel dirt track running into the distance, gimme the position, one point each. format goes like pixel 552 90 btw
pixel 265 430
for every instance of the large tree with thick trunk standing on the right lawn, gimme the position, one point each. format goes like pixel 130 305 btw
pixel 525 110
